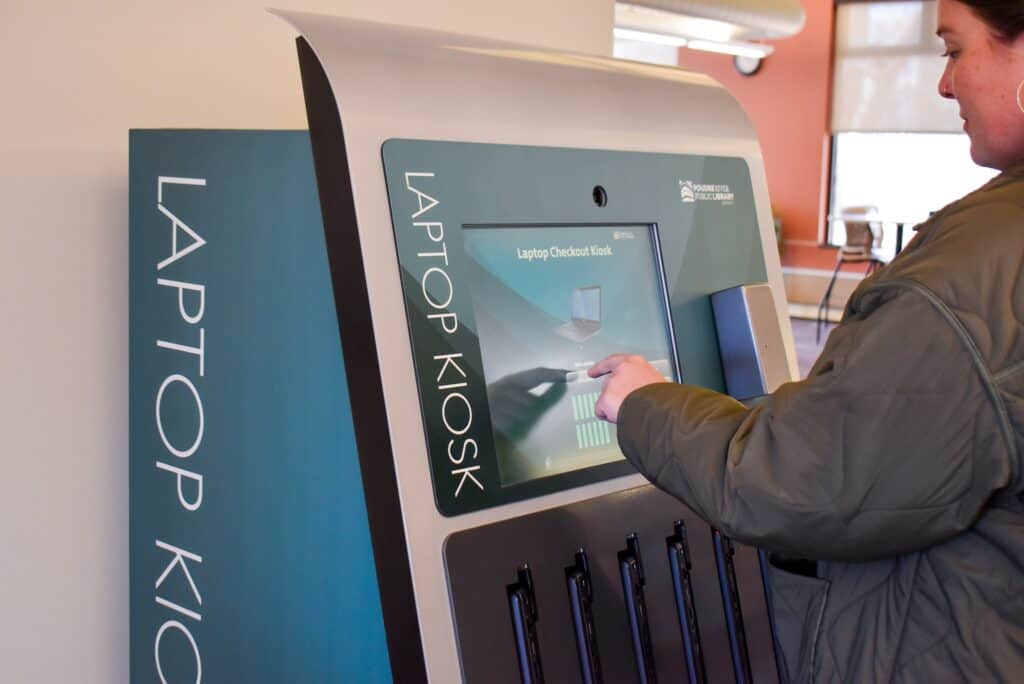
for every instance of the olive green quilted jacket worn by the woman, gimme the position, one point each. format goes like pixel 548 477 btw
pixel 897 464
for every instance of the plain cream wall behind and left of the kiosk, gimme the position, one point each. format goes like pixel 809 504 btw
pixel 74 78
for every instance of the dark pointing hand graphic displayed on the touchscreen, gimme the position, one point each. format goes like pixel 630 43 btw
pixel 518 401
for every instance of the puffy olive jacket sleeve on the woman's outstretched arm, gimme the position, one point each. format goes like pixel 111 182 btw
pixel 892 445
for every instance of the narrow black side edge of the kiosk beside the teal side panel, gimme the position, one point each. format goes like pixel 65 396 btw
pixel 363 369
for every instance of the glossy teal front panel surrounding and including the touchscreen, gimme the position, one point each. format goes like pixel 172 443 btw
pixel 523 267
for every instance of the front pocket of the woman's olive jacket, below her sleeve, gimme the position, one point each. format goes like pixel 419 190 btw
pixel 798 606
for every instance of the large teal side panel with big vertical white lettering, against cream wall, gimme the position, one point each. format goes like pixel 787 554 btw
pixel 250 552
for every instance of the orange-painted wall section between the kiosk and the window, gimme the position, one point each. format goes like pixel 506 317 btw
pixel 788 102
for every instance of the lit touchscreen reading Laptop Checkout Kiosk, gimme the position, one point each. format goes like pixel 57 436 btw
pixel 549 303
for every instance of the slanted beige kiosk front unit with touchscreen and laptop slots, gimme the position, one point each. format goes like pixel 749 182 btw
pixel 470 189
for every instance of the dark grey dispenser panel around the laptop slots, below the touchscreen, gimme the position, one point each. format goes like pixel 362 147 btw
pixel 484 561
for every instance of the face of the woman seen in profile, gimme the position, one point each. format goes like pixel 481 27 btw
pixel 984 74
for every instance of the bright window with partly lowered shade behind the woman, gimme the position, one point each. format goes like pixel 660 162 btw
pixel 887 69
